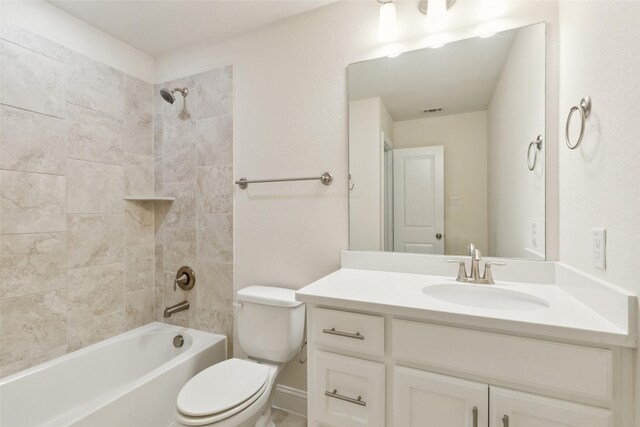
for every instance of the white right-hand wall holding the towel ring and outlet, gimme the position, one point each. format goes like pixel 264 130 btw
pixel 599 182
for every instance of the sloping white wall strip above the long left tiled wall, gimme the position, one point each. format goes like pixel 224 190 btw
pixel 52 23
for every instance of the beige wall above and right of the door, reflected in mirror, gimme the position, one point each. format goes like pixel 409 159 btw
pixel 464 137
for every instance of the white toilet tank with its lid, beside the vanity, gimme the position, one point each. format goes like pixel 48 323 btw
pixel 270 323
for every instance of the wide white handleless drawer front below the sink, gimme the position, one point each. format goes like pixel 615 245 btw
pixel 570 369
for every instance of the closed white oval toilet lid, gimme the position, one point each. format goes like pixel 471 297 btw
pixel 221 387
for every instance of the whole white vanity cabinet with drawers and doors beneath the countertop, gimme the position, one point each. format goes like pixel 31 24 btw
pixel 368 369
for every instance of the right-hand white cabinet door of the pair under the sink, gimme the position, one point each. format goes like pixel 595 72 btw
pixel 516 409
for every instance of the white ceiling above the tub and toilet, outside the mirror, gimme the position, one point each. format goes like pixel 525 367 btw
pixel 161 26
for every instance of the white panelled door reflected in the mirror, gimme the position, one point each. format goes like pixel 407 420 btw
pixel 418 190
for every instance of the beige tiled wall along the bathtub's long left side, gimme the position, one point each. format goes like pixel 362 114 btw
pixel 76 260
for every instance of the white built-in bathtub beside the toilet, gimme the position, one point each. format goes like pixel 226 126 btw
pixel 131 380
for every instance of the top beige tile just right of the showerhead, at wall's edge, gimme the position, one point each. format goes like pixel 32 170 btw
pixel 215 92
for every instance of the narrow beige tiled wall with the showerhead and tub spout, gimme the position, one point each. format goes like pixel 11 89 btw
pixel 194 164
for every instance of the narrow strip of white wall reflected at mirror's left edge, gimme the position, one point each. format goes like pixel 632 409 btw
pixel 365 220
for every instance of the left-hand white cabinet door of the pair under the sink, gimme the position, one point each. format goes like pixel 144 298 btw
pixel 424 399
